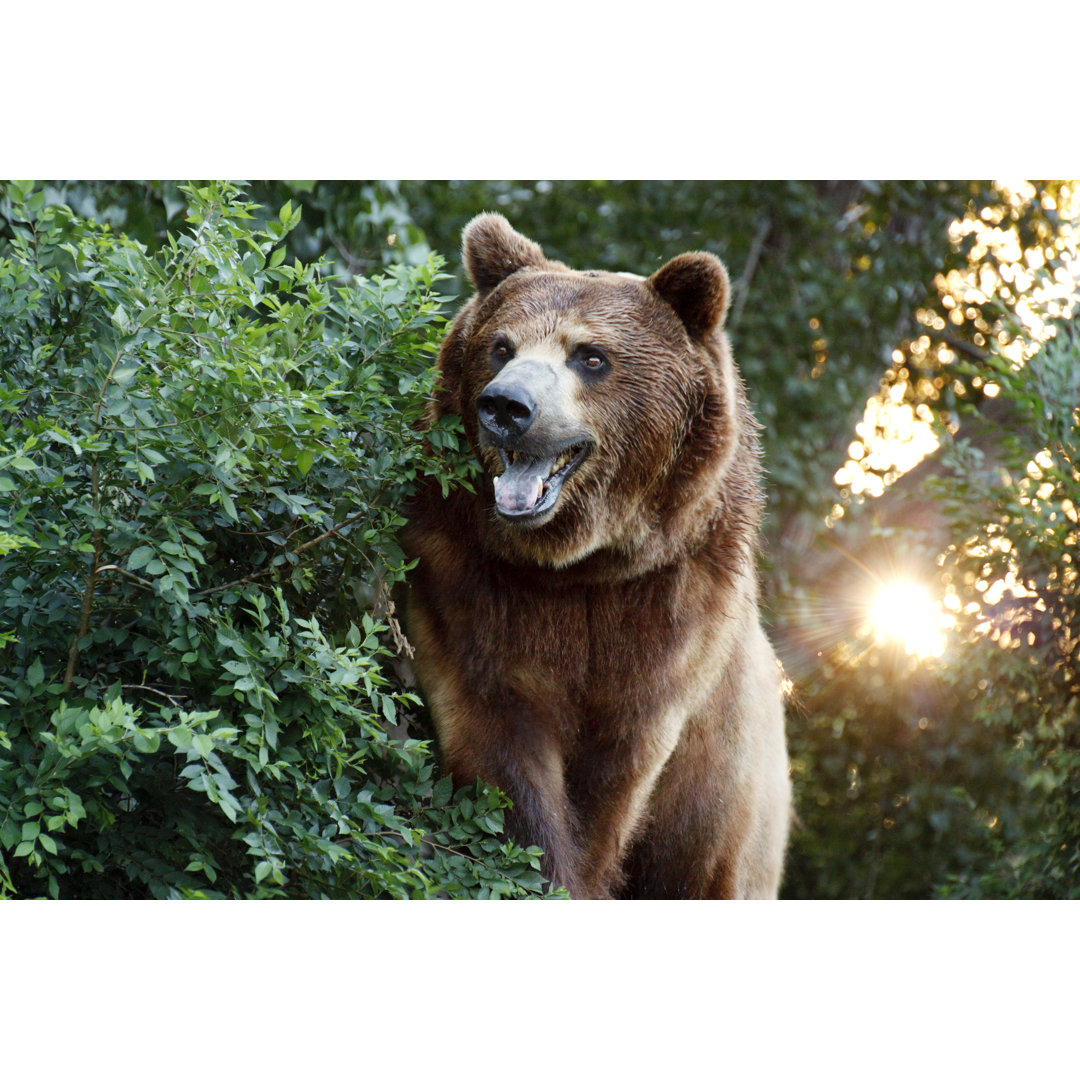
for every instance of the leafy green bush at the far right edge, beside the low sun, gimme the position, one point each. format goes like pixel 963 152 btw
pixel 1012 569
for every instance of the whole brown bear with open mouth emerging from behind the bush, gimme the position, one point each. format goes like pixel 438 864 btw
pixel 586 625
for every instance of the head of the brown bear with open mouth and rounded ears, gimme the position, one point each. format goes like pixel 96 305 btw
pixel 604 409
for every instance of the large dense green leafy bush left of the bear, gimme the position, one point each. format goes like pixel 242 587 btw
pixel 205 452
